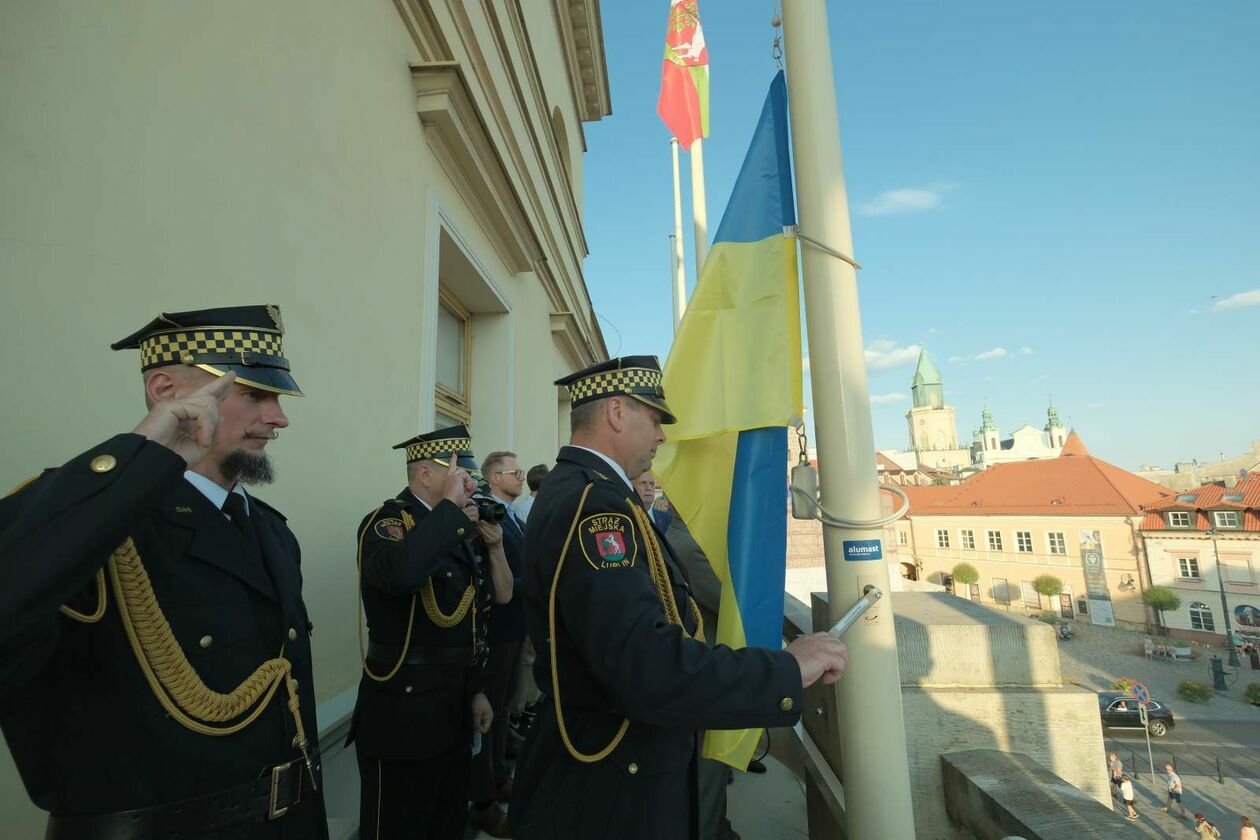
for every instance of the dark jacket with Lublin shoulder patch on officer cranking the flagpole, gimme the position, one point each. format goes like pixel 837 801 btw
pixel 619 659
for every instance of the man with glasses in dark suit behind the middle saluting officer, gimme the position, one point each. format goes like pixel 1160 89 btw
pixel 492 780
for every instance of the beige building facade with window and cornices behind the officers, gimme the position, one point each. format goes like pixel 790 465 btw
pixel 404 179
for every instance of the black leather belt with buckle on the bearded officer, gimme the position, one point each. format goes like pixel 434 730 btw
pixel 268 798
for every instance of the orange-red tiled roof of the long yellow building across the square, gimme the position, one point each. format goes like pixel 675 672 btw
pixel 1072 485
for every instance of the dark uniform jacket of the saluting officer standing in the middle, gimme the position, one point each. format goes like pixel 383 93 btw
pixel 424 710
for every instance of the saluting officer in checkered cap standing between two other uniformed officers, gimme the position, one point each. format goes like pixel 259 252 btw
pixel 427 595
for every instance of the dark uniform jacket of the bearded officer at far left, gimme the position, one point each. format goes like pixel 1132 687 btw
pixel 85 730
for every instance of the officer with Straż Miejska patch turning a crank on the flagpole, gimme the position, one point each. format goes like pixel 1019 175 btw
pixel 629 683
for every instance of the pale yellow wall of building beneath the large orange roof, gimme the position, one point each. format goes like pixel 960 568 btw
pixel 1121 556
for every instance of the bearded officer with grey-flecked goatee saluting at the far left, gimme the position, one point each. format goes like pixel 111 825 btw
pixel 156 668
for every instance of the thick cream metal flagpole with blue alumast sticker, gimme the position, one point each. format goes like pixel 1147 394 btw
pixel 873 731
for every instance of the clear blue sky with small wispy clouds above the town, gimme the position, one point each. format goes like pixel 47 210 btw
pixel 1046 196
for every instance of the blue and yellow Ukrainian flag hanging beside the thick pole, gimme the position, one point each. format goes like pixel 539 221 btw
pixel 734 381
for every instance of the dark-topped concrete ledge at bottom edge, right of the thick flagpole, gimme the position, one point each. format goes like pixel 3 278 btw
pixel 999 795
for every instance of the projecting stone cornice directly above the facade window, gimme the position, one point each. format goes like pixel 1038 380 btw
pixel 458 135
